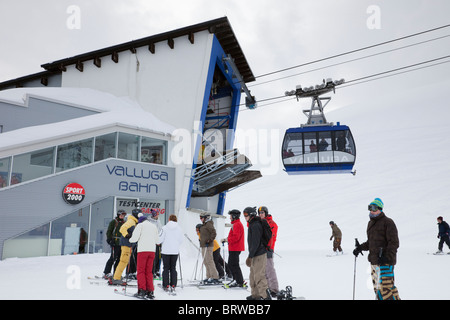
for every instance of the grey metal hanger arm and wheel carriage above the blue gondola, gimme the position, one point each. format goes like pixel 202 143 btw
pixel 315 114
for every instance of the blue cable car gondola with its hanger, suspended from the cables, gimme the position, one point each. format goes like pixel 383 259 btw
pixel 318 146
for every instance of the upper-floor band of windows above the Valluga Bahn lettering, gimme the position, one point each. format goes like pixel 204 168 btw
pixel 40 163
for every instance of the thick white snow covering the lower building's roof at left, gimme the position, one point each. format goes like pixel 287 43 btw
pixel 112 111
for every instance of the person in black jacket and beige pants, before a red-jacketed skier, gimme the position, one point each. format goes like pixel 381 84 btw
pixel 257 256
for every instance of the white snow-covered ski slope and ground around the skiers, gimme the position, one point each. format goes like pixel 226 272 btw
pixel 402 157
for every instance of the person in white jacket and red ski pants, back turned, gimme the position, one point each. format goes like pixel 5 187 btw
pixel 146 236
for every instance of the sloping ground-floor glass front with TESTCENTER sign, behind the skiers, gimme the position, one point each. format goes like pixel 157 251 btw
pixel 81 231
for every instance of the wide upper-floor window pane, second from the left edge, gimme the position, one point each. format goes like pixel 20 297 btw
pixel 32 165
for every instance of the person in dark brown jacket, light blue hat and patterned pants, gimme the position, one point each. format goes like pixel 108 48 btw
pixel 382 244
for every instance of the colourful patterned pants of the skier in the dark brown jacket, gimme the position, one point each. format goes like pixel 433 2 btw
pixel 383 283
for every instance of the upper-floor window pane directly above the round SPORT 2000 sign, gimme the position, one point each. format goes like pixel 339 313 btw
pixel 74 154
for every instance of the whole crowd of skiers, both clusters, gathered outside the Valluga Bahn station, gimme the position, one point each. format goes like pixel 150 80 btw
pixel 149 236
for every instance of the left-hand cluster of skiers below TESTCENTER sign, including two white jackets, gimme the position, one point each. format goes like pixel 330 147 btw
pixel 152 242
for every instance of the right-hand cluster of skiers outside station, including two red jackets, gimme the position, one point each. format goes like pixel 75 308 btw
pixel 263 278
